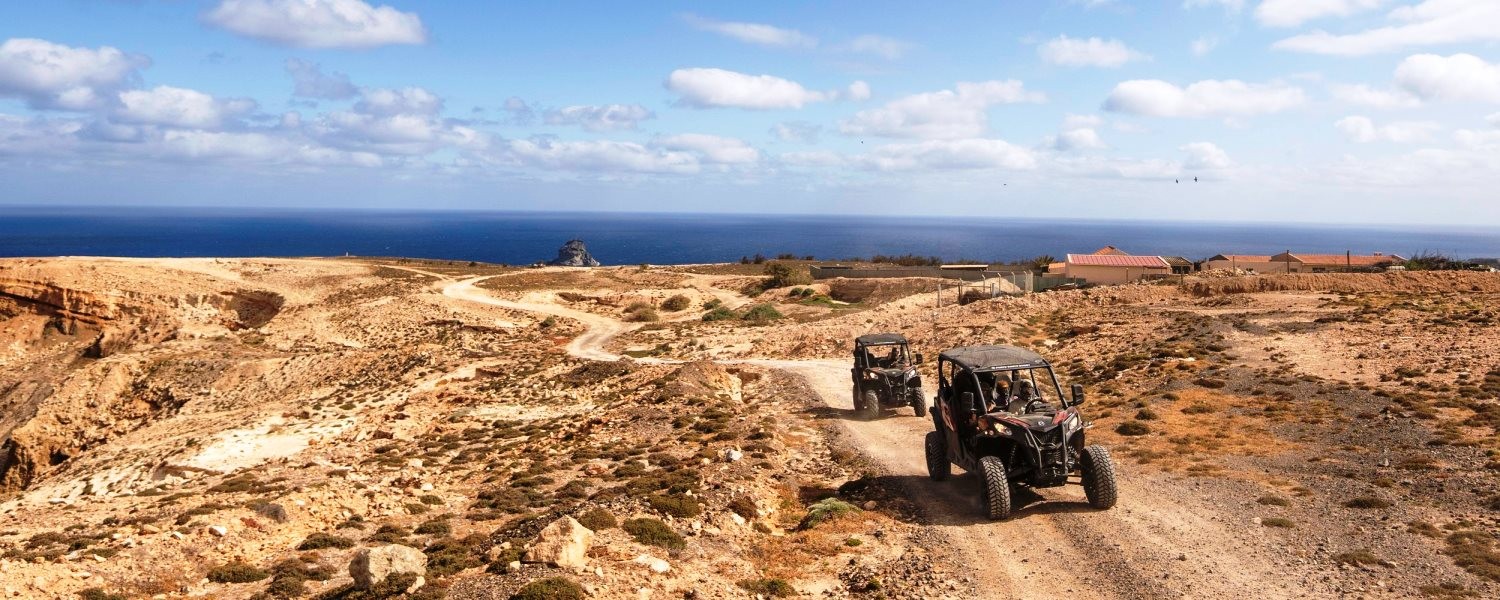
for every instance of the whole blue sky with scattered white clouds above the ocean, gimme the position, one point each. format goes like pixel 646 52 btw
pixel 1337 112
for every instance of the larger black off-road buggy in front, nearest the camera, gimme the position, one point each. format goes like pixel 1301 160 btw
pixel 1001 415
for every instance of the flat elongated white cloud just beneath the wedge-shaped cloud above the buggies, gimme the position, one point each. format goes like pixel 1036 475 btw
pixel 950 155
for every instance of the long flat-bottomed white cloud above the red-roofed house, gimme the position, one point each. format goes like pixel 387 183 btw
pixel 1210 98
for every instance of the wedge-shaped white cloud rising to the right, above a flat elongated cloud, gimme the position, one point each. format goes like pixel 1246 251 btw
pixel 959 113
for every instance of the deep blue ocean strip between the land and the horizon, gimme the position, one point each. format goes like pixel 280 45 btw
pixel 676 239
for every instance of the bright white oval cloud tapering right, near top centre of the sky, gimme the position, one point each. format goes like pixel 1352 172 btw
pixel 727 89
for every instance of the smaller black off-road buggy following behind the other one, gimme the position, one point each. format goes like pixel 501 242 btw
pixel 886 376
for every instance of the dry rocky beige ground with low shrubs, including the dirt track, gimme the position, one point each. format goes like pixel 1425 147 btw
pixel 245 428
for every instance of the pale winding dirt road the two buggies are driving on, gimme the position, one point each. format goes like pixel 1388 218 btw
pixel 1168 538
